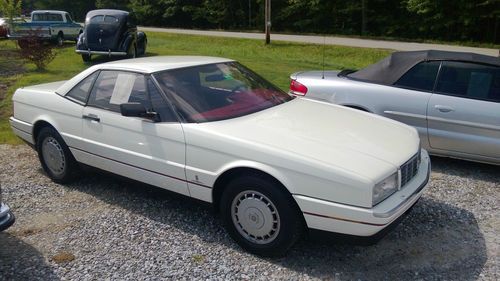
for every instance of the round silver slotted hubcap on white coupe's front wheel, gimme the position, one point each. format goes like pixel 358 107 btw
pixel 255 217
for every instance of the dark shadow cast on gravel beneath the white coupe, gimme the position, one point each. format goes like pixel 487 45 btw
pixel 435 241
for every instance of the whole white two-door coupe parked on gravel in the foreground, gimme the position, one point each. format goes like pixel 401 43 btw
pixel 213 130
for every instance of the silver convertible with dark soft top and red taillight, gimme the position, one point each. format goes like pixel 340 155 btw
pixel 453 99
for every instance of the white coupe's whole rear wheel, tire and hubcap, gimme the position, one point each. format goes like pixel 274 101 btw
pixel 55 156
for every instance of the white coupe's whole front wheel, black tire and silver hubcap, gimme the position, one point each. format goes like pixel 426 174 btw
pixel 260 216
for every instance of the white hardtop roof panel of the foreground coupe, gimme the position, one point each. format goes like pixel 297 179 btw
pixel 161 63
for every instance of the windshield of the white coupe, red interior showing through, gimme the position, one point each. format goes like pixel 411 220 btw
pixel 218 91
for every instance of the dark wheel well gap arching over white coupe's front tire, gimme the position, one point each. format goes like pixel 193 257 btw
pixel 227 176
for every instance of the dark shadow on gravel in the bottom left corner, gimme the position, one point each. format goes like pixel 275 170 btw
pixel 29 264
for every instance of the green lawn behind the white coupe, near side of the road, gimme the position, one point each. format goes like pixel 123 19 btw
pixel 275 62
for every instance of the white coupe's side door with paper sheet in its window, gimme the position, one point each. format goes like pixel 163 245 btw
pixel 139 148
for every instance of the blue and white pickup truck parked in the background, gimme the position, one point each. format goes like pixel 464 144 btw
pixel 51 25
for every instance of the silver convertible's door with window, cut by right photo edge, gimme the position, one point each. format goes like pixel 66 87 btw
pixel 464 111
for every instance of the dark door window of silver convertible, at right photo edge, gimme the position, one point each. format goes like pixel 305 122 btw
pixel 469 80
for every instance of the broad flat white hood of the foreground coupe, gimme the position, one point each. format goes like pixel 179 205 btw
pixel 318 134
